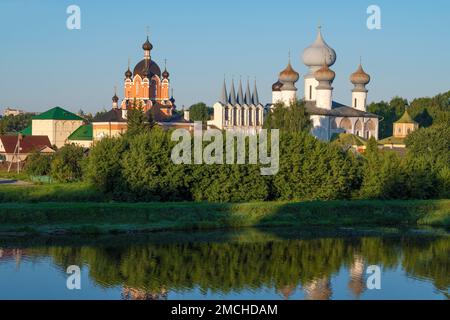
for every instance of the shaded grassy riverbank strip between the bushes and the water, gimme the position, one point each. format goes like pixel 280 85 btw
pixel 98 218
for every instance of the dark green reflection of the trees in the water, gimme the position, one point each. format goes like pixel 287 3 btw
pixel 150 271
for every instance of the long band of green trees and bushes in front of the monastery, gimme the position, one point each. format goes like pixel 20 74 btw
pixel 137 166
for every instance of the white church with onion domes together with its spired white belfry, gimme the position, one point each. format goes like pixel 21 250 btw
pixel 246 114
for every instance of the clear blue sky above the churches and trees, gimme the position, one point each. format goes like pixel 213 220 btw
pixel 43 64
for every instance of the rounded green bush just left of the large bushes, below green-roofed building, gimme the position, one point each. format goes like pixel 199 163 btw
pixel 67 164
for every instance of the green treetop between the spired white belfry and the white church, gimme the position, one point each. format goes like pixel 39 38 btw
pixel 292 119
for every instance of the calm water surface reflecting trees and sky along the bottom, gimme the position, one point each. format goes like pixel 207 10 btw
pixel 246 264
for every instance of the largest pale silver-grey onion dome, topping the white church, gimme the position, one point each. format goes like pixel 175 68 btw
pixel 314 55
